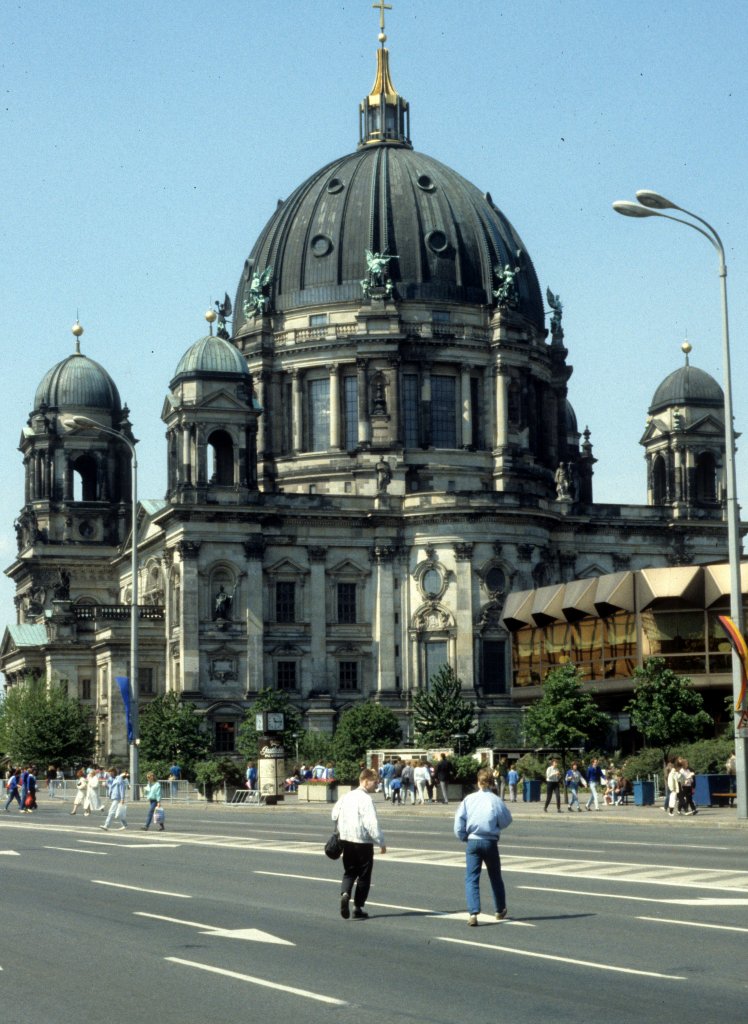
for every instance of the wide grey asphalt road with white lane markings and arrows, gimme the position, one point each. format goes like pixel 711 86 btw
pixel 232 914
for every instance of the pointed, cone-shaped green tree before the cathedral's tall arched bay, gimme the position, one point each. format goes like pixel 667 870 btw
pixel 441 713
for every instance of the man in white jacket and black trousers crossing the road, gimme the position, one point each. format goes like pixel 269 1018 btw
pixel 359 831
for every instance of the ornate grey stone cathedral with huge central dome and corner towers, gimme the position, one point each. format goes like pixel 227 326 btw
pixel 365 468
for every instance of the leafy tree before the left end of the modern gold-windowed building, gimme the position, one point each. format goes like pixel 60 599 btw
pixel 565 716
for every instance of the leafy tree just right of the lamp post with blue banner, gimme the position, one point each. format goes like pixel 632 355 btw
pixel 172 729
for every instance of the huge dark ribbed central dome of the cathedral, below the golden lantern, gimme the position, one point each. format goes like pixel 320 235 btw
pixel 447 236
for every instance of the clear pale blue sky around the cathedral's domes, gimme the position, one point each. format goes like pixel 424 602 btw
pixel 144 146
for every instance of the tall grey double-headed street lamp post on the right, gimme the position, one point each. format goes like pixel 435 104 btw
pixel 651 204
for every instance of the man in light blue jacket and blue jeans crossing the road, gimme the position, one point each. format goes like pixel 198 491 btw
pixel 479 822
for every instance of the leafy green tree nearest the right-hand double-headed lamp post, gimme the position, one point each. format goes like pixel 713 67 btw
pixel 667 709
